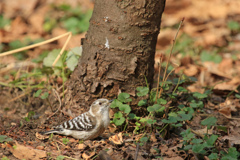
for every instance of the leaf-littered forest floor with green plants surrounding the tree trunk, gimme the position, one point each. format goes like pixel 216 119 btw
pixel 200 103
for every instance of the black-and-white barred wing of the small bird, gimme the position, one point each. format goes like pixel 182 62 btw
pixel 84 122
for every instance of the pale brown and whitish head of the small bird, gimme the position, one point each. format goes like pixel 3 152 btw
pixel 100 106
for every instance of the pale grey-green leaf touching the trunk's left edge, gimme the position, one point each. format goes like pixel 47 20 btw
pixel 72 57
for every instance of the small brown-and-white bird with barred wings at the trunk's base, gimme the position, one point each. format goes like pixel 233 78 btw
pixel 88 125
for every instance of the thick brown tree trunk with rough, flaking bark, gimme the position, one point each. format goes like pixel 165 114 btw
pixel 118 50
